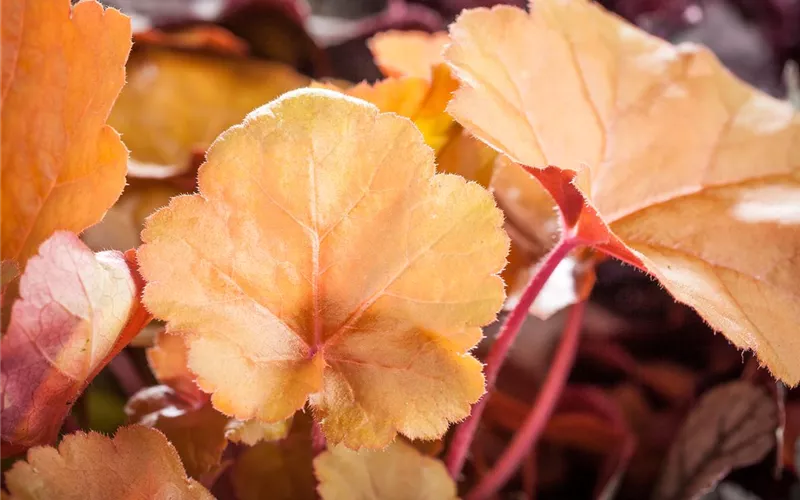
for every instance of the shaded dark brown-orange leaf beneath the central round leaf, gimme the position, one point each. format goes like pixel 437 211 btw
pixel 279 470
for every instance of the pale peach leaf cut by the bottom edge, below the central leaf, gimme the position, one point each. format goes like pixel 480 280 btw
pixel 397 472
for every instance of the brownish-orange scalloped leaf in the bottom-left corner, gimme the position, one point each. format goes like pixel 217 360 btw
pixel 138 463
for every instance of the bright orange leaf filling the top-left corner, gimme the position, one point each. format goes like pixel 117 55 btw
pixel 62 69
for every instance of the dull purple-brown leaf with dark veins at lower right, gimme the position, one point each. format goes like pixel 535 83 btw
pixel 732 426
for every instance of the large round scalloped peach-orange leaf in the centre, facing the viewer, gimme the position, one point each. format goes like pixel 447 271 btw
pixel 324 260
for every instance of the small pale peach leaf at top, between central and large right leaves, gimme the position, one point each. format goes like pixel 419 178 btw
pixel 408 53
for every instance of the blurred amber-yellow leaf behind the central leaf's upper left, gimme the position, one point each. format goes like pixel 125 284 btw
pixel 176 101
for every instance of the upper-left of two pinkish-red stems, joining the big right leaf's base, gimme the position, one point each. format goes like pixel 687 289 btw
pixel 465 432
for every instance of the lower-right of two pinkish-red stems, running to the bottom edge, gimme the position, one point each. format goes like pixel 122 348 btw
pixel 528 434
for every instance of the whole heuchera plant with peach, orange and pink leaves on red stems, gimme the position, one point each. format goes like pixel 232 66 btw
pixel 322 289
